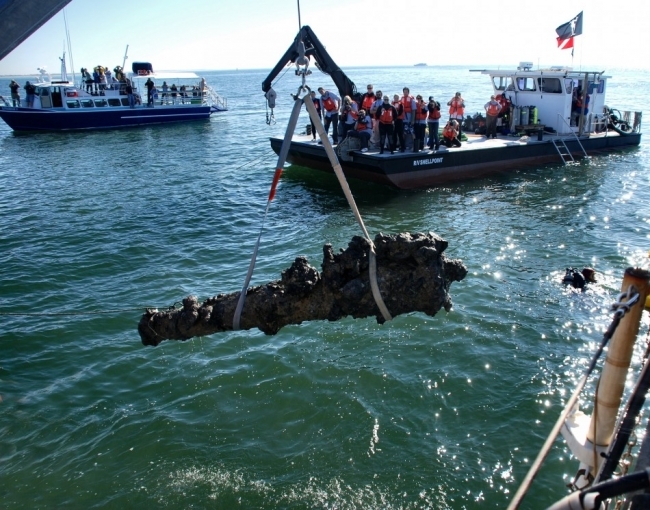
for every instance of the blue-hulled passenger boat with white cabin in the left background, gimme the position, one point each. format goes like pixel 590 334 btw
pixel 62 105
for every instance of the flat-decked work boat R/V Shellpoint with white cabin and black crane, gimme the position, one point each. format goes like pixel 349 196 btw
pixel 540 125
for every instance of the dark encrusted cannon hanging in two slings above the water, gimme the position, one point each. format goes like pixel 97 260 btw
pixel 412 272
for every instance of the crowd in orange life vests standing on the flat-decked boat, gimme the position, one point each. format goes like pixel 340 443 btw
pixel 392 124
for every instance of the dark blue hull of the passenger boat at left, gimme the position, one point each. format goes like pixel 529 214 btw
pixel 27 119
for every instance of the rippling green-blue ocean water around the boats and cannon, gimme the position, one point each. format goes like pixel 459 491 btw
pixel 443 412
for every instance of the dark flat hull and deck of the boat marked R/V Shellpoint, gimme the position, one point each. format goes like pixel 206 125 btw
pixel 476 157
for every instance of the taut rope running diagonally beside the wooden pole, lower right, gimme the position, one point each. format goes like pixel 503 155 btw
pixel 621 308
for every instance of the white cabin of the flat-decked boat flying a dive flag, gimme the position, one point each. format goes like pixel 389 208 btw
pixel 552 98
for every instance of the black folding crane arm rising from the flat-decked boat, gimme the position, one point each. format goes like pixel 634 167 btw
pixel 313 48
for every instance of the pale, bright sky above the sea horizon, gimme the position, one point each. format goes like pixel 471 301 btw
pixel 252 34
